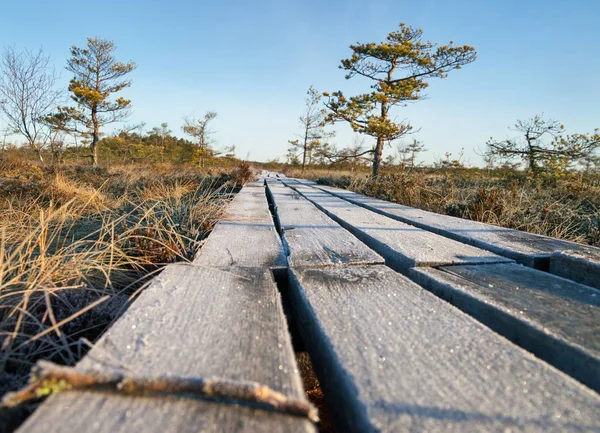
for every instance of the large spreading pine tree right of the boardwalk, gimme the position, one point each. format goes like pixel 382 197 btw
pixel 399 67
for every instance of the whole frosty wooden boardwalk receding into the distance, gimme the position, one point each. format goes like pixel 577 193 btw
pixel 413 321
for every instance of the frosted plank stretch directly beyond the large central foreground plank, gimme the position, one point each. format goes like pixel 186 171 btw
pixel 311 237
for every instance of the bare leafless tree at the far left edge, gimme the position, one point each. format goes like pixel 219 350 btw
pixel 28 94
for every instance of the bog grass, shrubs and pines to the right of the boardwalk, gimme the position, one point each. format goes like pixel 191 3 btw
pixel 541 180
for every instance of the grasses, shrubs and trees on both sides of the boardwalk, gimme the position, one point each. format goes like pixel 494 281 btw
pixel 88 216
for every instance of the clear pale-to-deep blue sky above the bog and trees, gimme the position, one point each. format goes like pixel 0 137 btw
pixel 252 61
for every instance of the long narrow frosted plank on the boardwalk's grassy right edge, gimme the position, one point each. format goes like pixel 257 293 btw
pixel 526 248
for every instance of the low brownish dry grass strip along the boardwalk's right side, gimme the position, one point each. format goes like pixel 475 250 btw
pixel 561 208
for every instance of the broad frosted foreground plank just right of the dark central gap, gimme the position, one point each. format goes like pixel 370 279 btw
pixel 391 356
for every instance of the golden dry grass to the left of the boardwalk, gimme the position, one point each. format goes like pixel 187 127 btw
pixel 77 244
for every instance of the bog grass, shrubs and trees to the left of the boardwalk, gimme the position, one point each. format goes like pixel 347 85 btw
pixel 86 218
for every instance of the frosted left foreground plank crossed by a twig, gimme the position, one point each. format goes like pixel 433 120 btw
pixel 191 321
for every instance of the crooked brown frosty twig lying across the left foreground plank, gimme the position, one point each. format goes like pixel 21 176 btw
pixel 48 378
